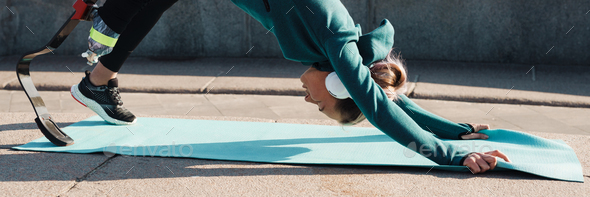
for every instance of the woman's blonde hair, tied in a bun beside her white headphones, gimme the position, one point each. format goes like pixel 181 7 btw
pixel 390 74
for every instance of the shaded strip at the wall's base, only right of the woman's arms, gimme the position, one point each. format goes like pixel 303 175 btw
pixel 570 80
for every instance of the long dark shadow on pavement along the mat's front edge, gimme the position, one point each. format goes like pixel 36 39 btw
pixel 34 166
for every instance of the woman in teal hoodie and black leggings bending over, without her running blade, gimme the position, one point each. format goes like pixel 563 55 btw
pixel 315 32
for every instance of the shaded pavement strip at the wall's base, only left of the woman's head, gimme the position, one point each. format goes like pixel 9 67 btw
pixel 243 67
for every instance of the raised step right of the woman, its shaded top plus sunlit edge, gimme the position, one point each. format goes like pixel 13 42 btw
pixel 501 83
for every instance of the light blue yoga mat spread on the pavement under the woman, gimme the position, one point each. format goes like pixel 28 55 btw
pixel 301 144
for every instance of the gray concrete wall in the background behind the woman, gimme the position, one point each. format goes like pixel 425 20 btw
pixel 449 30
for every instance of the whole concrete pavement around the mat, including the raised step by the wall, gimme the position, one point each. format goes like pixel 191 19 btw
pixel 194 90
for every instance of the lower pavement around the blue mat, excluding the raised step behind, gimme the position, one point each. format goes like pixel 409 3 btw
pixel 55 174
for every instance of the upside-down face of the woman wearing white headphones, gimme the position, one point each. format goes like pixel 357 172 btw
pixel 314 82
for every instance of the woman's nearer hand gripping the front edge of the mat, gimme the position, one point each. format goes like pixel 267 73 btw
pixel 482 162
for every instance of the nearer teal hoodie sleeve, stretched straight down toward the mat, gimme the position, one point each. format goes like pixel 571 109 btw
pixel 383 113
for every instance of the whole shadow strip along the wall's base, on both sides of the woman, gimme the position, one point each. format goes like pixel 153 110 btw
pixel 570 80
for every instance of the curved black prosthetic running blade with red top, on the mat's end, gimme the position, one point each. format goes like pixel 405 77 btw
pixel 44 121
